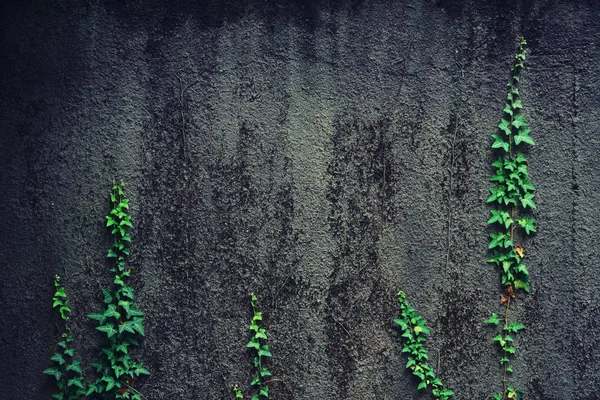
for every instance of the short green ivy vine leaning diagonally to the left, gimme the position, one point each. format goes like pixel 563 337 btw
pixel 414 330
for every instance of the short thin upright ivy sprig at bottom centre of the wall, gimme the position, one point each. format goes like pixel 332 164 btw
pixel 258 344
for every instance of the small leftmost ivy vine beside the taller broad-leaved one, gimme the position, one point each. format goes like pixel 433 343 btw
pixel 65 368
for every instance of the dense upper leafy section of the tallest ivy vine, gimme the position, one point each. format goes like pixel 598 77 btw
pixel 514 192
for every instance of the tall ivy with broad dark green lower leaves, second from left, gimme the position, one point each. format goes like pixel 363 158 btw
pixel 120 319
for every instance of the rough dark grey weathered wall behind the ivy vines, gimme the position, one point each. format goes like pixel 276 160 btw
pixel 300 150
